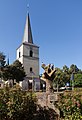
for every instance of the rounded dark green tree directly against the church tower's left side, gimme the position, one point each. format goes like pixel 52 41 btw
pixel 14 71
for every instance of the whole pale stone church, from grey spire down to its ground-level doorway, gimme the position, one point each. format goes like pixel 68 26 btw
pixel 28 55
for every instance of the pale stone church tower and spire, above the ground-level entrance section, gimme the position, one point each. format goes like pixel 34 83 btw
pixel 28 52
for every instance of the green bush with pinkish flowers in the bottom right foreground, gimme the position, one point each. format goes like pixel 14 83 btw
pixel 70 105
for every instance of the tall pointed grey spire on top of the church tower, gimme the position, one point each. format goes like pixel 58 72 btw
pixel 27 32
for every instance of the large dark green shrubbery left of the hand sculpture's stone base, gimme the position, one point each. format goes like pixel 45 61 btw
pixel 21 105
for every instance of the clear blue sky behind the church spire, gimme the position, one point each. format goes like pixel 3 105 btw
pixel 56 27
